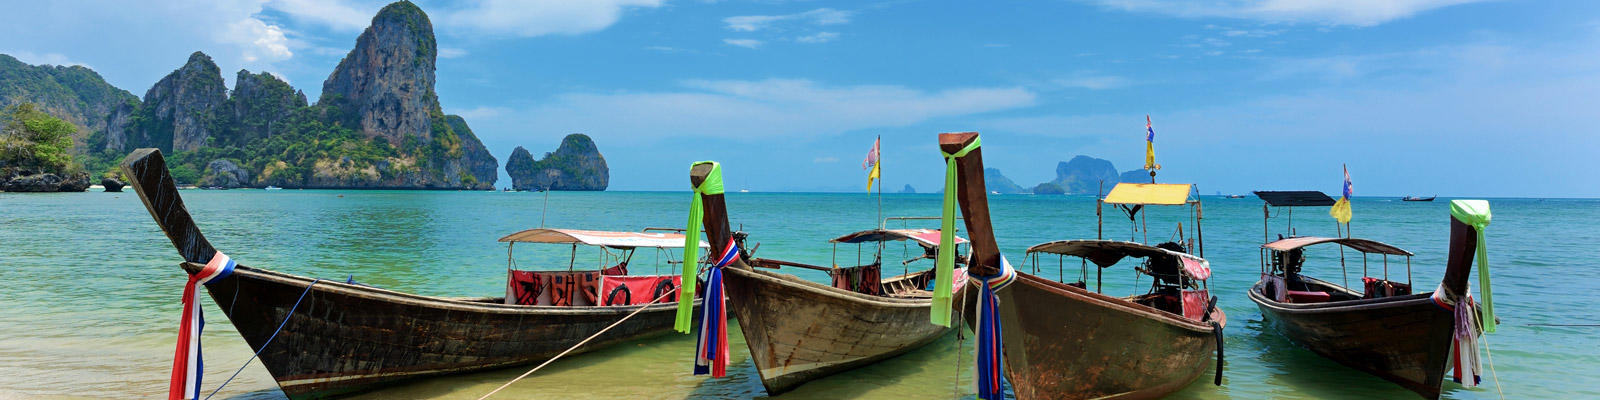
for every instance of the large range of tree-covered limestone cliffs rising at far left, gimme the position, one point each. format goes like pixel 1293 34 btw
pixel 377 126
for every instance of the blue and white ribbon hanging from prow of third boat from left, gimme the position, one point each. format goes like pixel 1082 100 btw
pixel 991 351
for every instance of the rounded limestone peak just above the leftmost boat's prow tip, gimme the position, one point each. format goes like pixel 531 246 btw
pixel 177 111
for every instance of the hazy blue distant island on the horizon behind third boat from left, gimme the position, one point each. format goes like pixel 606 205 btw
pixel 1078 177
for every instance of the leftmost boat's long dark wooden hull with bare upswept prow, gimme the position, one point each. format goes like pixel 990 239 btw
pixel 348 337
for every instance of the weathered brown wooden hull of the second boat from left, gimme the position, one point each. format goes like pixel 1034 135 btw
pixel 801 330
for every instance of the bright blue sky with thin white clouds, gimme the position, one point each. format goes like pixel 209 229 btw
pixel 1447 98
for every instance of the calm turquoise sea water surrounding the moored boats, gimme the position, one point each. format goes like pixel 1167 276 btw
pixel 90 289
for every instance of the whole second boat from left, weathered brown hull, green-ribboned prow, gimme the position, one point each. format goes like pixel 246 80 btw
pixel 801 330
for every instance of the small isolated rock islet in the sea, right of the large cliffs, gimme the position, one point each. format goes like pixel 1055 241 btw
pixel 575 166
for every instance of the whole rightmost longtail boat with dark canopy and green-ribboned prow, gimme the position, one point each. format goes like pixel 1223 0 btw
pixel 1383 329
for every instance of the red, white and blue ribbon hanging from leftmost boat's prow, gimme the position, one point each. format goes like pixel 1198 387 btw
pixel 186 359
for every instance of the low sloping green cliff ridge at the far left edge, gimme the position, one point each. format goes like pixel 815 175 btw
pixel 73 94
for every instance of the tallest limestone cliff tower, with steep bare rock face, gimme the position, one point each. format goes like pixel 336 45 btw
pixel 386 84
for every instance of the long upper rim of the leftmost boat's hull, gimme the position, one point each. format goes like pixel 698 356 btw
pixel 431 302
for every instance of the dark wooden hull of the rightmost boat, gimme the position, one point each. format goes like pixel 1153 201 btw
pixel 1404 340
